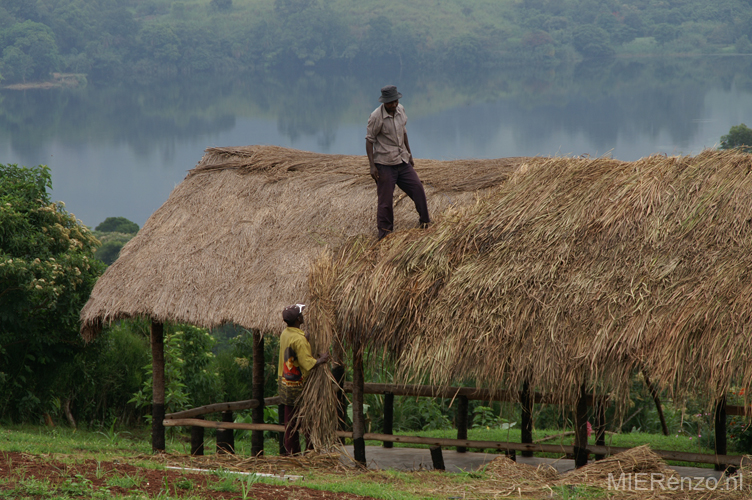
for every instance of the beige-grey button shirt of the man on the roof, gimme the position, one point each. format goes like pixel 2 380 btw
pixel 387 134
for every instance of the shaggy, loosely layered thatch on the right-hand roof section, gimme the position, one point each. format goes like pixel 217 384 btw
pixel 575 271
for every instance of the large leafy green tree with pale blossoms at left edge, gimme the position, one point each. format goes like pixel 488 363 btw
pixel 46 275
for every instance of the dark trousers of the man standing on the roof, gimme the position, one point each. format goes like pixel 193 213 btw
pixel 404 176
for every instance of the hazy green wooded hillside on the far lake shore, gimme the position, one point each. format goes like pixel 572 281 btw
pixel 109 40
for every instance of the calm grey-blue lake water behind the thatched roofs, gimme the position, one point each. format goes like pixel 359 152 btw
pixel 119 150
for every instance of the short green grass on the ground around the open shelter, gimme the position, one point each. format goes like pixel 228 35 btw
pixel 65 449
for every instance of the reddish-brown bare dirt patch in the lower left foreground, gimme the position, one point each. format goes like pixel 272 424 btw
pixel 88 476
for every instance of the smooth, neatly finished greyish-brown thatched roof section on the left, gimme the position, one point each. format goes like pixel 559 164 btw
pixel 234 240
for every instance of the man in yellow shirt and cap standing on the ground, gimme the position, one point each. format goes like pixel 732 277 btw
pixel 295 361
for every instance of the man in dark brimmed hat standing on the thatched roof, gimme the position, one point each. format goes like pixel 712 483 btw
pixel 391 160
